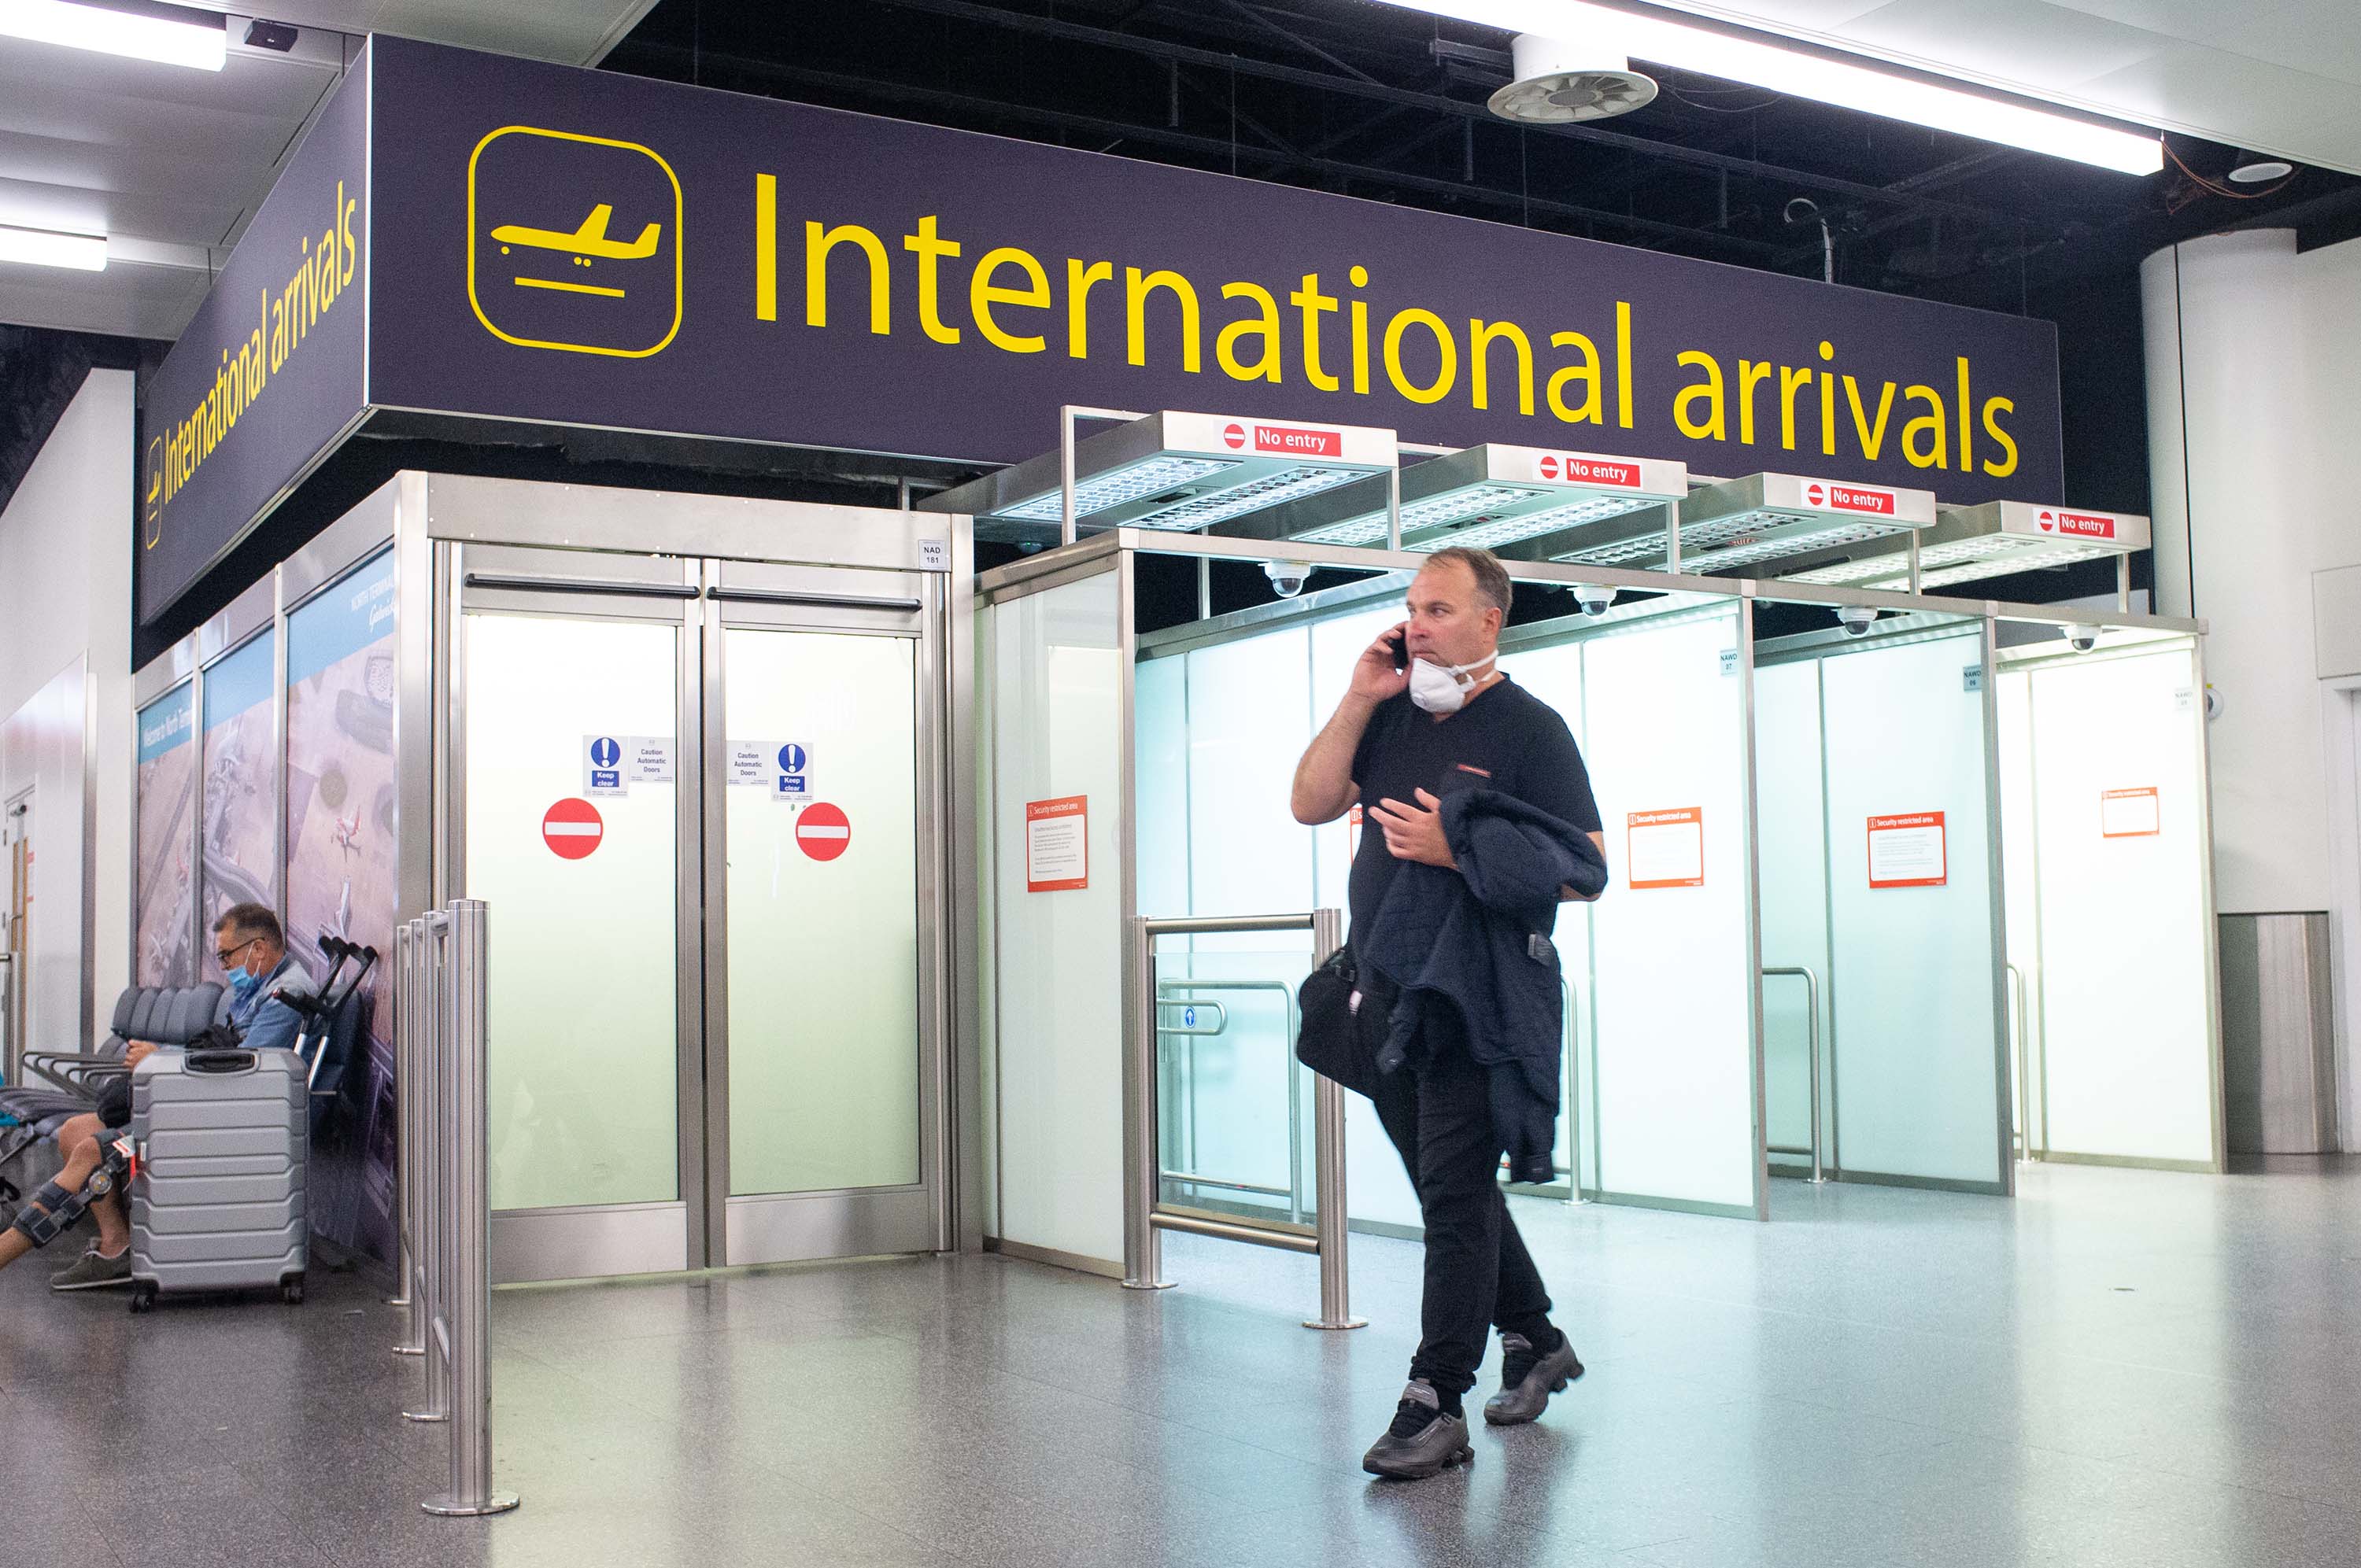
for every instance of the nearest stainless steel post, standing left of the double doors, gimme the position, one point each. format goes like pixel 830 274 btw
pixel 469 1224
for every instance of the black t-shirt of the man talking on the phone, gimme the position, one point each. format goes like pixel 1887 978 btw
pixel 1505 738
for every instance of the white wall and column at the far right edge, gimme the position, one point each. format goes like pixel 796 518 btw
pixel 2251 433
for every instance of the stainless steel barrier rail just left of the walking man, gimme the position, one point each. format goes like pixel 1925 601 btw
pixel 1144 1158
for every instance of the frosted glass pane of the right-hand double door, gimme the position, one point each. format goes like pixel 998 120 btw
pixel 825 953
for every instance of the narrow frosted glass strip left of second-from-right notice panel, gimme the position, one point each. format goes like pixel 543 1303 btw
pixel 1793 894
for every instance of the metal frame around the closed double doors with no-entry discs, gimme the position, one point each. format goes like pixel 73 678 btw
pixel 639 537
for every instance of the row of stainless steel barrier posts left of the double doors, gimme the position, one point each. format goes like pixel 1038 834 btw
pixel 445 1203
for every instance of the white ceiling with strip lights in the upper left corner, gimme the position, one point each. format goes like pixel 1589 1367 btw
pixel 171 164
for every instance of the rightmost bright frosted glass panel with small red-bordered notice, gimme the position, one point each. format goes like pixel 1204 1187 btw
pixel 2124 925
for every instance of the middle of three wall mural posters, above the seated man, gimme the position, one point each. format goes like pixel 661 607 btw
pixel 242 814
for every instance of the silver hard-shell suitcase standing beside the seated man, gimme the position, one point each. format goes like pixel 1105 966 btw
pixel 218 1198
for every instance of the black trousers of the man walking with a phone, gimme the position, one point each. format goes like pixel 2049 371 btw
pixel 1477 1267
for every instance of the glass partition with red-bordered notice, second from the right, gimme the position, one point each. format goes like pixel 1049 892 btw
pixel 1904 788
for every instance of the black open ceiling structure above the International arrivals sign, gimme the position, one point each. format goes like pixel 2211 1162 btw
pixel 1389 105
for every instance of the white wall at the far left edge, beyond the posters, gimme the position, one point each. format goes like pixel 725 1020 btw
pixel 65 599
